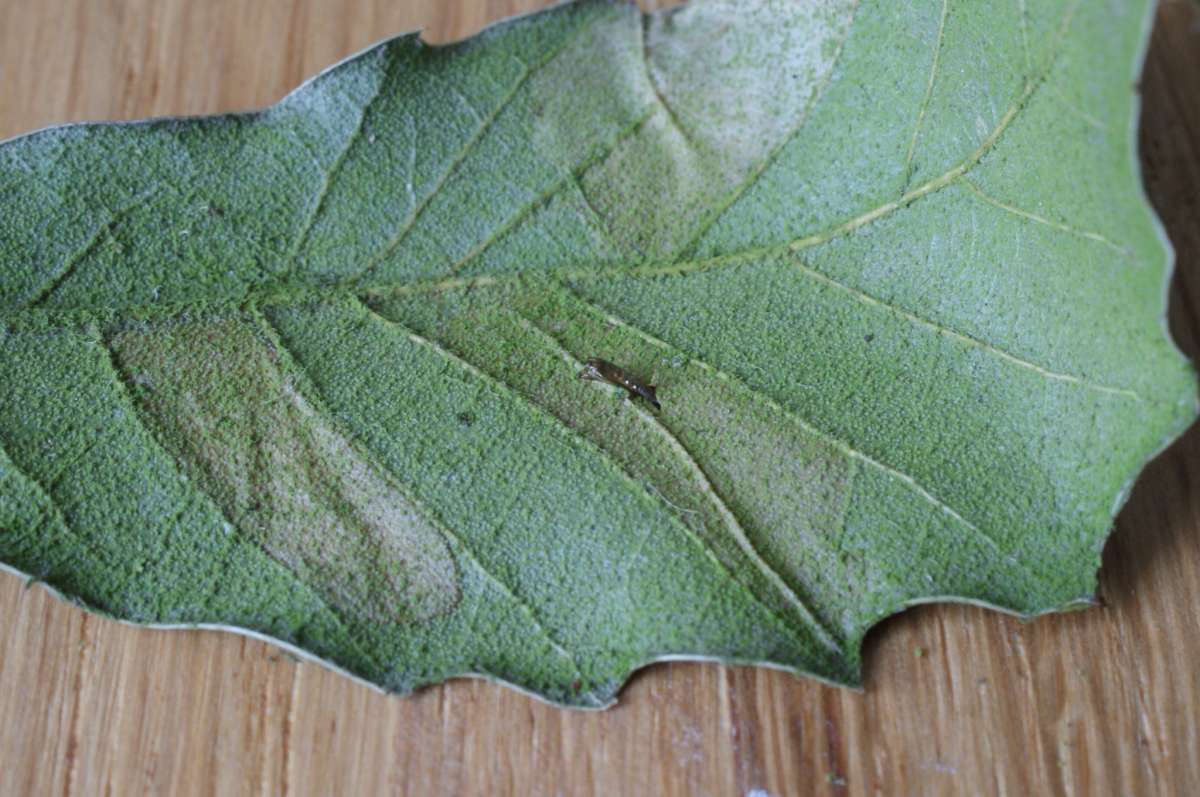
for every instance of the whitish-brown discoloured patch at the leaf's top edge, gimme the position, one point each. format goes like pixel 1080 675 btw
pixel 730 86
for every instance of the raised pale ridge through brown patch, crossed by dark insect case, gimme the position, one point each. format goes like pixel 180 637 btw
pixel 706 488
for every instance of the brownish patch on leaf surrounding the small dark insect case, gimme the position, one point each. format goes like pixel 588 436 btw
pixel 766 495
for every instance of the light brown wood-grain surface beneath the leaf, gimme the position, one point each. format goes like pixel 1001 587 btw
pixel 958 700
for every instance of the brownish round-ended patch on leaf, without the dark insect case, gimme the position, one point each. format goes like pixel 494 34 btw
pixel 219 392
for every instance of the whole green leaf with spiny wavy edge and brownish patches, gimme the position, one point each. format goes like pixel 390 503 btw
pixel 311 373
